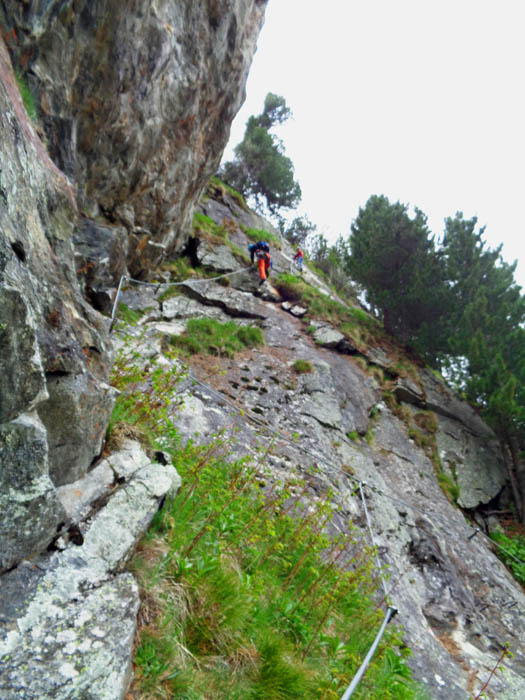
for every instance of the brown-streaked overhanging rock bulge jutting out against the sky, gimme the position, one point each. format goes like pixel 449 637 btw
pixel 136 100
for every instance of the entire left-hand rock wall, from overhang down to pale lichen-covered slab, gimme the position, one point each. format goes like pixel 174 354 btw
pixel 134 103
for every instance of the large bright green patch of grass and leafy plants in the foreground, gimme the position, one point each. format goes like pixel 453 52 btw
pixel 242 596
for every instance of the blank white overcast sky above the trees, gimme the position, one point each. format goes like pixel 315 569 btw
pixel 420 100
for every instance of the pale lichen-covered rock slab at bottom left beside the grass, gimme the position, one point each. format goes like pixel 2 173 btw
pixel 67 623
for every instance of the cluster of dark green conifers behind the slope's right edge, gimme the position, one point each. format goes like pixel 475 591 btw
pixel 455 303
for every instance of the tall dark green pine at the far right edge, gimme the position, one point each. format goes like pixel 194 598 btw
pixel 486 354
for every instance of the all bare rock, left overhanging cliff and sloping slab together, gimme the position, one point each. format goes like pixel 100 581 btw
pixel 134 105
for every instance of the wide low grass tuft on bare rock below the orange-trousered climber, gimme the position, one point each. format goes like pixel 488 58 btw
pixel 208 336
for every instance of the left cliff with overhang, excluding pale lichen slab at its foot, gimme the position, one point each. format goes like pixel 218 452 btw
pixel 133 102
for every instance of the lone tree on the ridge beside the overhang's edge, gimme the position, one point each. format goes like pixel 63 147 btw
pixel 260 169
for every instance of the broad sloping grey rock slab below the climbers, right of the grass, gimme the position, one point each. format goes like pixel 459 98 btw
pixel 457 603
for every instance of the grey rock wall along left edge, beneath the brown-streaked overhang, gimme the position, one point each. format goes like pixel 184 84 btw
pixel 52 341
